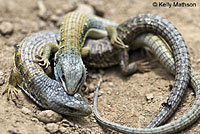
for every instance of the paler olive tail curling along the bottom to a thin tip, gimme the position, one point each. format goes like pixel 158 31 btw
pixel 164 55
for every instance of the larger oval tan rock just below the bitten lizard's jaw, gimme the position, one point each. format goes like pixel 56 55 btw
pixel 49 116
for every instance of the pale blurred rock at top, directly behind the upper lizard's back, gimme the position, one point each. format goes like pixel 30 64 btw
pixel 84 8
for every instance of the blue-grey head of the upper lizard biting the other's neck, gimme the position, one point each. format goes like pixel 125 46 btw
pixel 70 71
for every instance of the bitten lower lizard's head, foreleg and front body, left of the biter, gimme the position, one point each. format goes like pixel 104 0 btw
pixel 43 90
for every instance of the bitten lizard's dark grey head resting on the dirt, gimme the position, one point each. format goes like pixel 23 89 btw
pixel 70 105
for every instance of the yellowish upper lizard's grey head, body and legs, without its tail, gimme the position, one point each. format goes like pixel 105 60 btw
pixel 68 65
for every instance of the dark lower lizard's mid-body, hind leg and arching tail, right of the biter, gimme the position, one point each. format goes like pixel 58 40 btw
pixel 104 55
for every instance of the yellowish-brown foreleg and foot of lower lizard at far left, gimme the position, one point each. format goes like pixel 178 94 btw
pixel 15 80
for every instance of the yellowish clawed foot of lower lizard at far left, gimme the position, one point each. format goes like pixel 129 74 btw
pixel 12 92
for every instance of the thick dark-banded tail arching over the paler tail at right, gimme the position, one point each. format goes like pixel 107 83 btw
pixel 135 26
